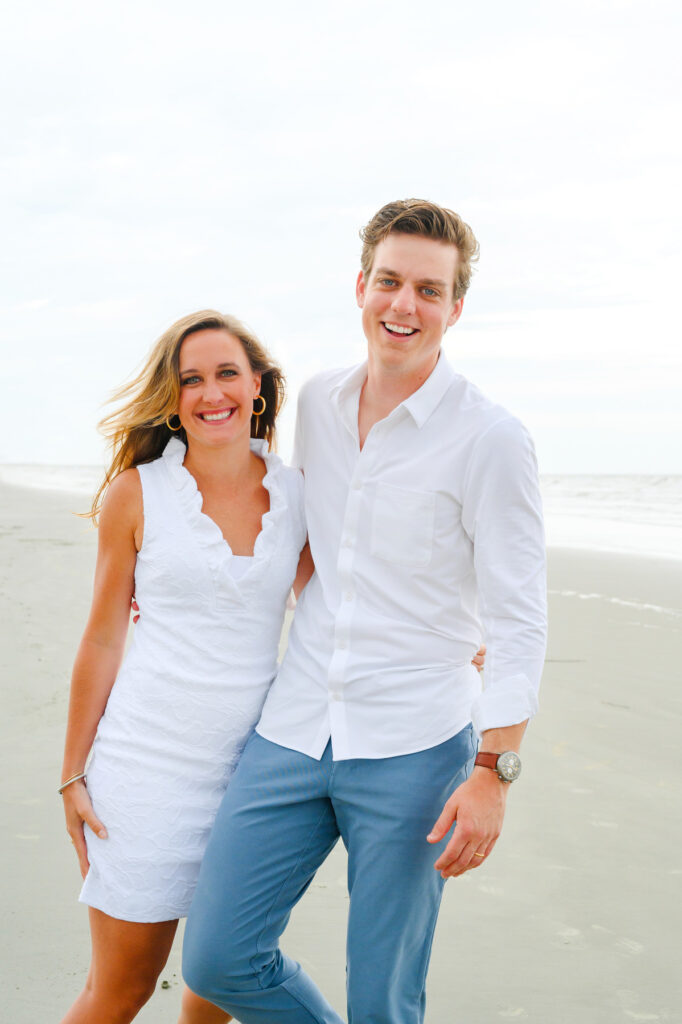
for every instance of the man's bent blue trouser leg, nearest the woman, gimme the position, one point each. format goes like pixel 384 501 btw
pixel 275 828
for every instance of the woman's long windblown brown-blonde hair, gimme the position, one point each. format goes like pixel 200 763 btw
pixel 138 432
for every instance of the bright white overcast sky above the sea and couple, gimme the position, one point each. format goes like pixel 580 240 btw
pixel 157 159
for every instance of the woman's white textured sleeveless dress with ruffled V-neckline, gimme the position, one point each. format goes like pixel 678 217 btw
pixel 190 691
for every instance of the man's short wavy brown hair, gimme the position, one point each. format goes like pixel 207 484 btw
pixel 418 217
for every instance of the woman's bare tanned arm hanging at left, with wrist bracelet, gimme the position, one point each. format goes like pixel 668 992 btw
pixel 102 649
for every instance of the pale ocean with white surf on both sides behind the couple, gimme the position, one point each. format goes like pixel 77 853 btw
pixel 633 515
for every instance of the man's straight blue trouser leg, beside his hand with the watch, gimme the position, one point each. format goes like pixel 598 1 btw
pixel 386 809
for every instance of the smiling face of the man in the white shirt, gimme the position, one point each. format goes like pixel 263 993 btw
pixel 408 303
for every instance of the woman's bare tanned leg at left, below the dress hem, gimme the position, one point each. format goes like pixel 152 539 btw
pixel 127 960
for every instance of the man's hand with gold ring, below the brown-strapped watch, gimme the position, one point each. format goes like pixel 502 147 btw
pixel 479 808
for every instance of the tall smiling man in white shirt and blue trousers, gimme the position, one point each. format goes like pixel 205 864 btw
pixel 424 523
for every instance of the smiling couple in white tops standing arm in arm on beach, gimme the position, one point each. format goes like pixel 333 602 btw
pixel 423 521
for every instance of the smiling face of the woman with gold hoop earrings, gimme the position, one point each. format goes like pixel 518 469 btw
pixel 218 389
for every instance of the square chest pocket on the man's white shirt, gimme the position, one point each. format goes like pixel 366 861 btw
pixel 403 526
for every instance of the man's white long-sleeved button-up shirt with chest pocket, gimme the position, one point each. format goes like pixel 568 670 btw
pixel 427 542
